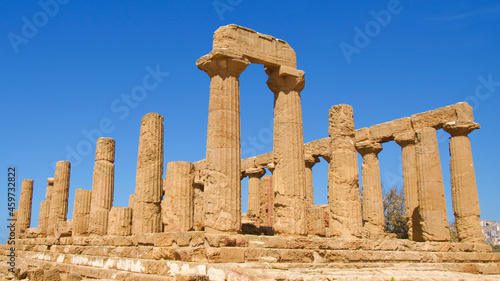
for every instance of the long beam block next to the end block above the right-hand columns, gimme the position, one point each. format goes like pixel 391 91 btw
pixel 434 118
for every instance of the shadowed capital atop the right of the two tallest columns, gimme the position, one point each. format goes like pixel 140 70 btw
pixel 284 79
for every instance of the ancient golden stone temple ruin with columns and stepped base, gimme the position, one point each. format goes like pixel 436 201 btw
pixel 189 225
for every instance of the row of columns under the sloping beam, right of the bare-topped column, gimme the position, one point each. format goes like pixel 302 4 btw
pixel 425 204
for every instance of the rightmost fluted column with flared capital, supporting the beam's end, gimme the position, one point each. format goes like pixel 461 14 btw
pixel 463 182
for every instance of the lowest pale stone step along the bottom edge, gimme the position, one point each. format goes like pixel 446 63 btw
pixel 265 271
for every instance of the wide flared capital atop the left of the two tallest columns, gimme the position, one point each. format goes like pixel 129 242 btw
pixel 224 63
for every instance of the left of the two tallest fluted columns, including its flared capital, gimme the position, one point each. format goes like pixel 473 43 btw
pixel 222 192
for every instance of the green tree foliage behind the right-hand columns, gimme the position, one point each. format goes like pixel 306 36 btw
pixel 394 212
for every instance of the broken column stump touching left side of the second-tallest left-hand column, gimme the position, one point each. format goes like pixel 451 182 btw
pixel 81 212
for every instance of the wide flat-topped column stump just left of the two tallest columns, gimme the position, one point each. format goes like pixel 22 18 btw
pixel 177 207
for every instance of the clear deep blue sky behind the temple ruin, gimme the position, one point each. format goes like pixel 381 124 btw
pixel 61 79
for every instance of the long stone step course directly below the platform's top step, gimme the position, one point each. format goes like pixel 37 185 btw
pixel 239 254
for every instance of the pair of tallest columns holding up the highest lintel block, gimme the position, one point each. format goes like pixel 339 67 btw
pixel 222 194
